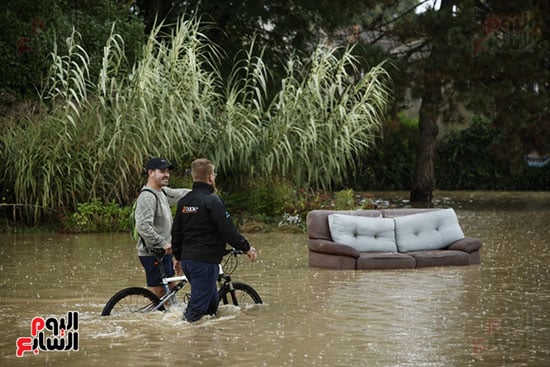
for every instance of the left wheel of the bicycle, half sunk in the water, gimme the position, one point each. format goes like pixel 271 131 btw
pixel 131 300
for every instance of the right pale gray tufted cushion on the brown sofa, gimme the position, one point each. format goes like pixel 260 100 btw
pixel 432 230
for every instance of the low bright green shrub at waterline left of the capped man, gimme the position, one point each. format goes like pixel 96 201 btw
pixel 96 216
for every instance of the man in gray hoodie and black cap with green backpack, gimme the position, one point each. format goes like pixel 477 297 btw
pixel 153 219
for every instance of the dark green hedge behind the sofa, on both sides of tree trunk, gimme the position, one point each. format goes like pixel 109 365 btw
pixel 464 160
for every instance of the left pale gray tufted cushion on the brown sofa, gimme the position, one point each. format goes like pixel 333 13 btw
pixel 365 234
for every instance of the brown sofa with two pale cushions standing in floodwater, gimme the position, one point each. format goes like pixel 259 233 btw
pixel 388 239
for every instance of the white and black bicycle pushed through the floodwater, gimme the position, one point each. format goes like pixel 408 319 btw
pixel 140 300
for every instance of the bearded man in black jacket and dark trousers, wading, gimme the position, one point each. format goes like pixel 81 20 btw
pixel 201 229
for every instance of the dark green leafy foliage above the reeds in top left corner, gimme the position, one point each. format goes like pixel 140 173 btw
pixel 31 30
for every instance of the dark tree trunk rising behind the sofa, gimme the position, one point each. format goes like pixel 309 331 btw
pixel 423 180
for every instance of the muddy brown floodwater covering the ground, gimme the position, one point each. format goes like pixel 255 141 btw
pixel 493 314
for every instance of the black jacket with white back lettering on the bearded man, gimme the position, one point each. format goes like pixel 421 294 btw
pixel 203 226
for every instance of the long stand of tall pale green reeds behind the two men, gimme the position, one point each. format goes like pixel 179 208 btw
pixel 91 134
